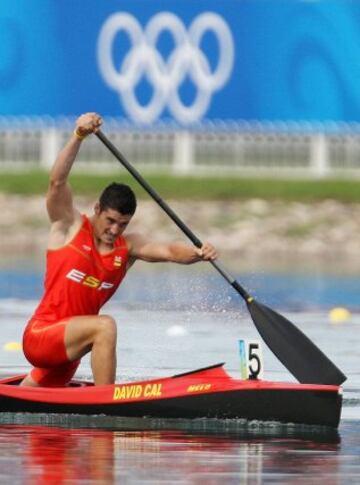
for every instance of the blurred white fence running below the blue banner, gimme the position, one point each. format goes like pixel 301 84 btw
pixel 232 148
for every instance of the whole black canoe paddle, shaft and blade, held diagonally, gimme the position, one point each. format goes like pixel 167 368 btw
pixel 296 351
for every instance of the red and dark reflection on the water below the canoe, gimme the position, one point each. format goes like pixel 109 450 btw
pixel 39 454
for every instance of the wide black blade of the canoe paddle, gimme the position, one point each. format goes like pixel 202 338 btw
pixel 298 354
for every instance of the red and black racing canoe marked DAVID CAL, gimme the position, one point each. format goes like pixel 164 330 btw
pixel 203 393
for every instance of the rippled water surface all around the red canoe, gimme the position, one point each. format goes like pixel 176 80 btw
pixel 188 319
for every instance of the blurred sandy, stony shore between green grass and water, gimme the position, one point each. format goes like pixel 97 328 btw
pixel 252 230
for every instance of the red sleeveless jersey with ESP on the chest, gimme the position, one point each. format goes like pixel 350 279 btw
pixel 79 280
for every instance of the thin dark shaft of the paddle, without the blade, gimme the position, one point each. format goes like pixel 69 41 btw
pixel 195 240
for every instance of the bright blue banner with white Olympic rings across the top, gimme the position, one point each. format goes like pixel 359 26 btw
pixel 189 61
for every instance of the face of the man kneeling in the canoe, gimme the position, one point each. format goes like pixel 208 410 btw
pixel 109 224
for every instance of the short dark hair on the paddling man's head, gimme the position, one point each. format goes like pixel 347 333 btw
pixel 119 197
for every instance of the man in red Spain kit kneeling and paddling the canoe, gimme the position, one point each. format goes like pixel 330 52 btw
pixel 87 259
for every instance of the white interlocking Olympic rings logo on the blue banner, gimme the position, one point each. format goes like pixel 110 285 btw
pixel 143 60
